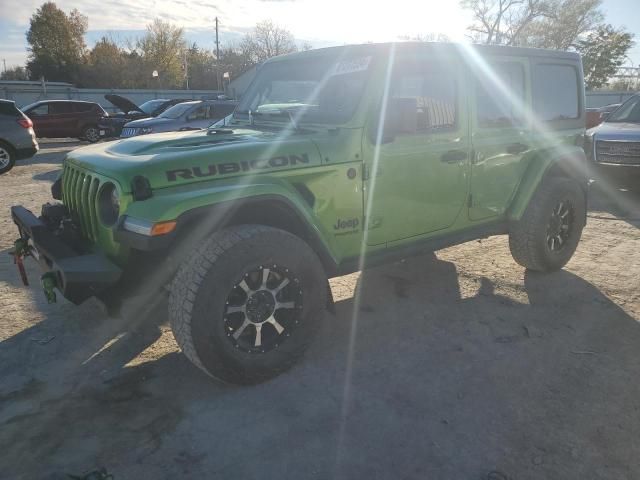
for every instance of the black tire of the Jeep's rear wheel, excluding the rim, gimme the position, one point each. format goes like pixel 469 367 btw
pixel 528 239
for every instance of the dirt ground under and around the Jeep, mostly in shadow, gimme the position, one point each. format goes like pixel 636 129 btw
pixel 448 366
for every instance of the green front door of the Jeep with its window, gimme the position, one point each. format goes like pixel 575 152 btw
pixel 419 185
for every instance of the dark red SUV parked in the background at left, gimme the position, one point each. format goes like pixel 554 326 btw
pixel 66 118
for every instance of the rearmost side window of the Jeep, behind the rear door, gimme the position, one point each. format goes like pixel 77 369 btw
pixel 555 92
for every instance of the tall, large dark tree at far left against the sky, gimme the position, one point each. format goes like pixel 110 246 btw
pixel 56 43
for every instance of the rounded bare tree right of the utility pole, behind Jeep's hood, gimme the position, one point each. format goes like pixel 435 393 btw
pixel 267 40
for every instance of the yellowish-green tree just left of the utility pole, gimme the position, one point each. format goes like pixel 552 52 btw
pixel 162 49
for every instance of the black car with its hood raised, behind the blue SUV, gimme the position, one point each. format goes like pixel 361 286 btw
pixel 111 126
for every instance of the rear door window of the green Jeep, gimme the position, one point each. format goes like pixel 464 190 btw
pixel 500 96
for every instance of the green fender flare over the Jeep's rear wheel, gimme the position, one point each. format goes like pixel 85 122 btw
pixel 565 162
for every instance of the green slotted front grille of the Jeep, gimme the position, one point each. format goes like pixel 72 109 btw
pixel 79 193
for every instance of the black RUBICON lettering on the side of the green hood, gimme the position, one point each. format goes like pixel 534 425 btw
pixel 235 167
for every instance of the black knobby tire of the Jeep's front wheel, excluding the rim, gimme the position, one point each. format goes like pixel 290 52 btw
pixel 199 296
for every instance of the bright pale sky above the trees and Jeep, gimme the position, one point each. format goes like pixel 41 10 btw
pixel 318 22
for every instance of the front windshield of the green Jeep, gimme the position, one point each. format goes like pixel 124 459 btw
pixel 319 90
